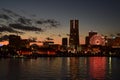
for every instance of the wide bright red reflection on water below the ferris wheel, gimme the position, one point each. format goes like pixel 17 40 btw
pixel 97 68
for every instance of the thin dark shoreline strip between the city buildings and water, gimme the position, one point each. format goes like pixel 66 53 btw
pixel 60 55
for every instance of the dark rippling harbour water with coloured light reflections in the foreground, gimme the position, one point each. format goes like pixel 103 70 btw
pixel 60 68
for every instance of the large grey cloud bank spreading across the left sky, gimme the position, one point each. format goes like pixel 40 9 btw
pixel 15 23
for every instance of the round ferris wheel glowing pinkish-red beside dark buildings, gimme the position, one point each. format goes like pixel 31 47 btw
pixel 97 40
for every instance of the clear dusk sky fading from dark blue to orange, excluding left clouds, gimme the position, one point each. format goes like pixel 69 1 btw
pixel 102 16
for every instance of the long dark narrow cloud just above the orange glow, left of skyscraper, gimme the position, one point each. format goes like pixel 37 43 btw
pixel 25 28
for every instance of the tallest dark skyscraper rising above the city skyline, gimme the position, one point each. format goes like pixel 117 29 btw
pixel 74 34
